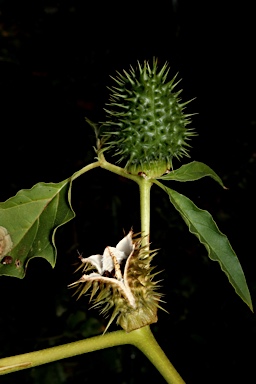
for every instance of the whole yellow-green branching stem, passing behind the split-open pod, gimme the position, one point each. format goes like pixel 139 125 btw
pixel 142 338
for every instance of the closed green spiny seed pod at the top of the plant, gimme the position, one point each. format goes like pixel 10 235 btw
pixel 146 125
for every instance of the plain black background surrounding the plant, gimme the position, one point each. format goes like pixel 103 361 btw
pixel 55 62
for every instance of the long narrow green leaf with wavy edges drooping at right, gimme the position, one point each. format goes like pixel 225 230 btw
pixel 201 224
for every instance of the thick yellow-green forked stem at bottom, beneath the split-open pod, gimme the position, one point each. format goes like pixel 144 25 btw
pixel 142 338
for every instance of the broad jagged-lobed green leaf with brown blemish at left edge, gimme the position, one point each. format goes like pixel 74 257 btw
pixel 31 218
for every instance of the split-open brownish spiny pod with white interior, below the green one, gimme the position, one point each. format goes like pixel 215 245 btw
pixel 123 283
